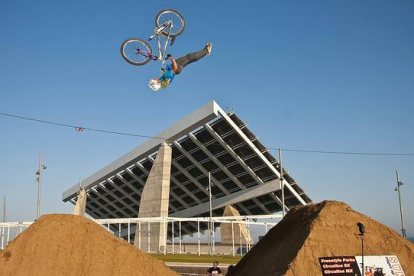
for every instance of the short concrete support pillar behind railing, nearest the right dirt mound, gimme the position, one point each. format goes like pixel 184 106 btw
pixel 226 231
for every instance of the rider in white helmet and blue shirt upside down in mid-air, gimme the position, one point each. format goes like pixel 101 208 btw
pixel 177 66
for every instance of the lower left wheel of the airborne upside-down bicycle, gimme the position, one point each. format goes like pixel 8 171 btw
pixel 132 54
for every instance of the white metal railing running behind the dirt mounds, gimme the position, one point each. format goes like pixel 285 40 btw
pixel 123 227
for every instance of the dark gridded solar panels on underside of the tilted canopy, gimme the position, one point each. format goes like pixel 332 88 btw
pixel 216 147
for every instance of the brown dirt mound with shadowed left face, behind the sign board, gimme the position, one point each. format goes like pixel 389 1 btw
pixel 325 229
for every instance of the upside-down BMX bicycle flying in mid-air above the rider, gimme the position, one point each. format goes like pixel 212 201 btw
pixel 168 24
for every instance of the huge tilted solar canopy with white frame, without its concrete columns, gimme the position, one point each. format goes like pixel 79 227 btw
pixel 209 140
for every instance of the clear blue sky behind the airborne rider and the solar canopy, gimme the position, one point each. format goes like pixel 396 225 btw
pixel 315 75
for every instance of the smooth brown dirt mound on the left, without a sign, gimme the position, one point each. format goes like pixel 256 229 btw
pixel 74 245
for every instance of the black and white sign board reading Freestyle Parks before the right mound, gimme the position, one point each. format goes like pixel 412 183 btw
pixel 351 266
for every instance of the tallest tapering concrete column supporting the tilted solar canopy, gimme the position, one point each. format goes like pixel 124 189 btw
pixel 155 202
